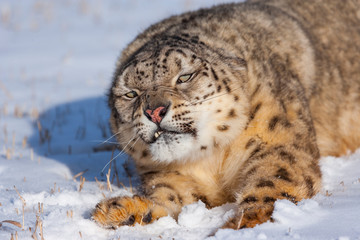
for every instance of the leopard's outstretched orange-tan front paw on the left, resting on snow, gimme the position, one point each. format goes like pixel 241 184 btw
pixel 120 211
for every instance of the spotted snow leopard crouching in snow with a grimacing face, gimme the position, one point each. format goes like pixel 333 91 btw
pixel 235 104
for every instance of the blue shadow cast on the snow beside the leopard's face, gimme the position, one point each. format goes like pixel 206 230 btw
pixel 73 134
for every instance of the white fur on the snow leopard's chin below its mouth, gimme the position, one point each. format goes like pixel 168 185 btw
pixel 167 149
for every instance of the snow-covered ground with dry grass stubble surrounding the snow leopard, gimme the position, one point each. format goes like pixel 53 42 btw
pixel 56 63
